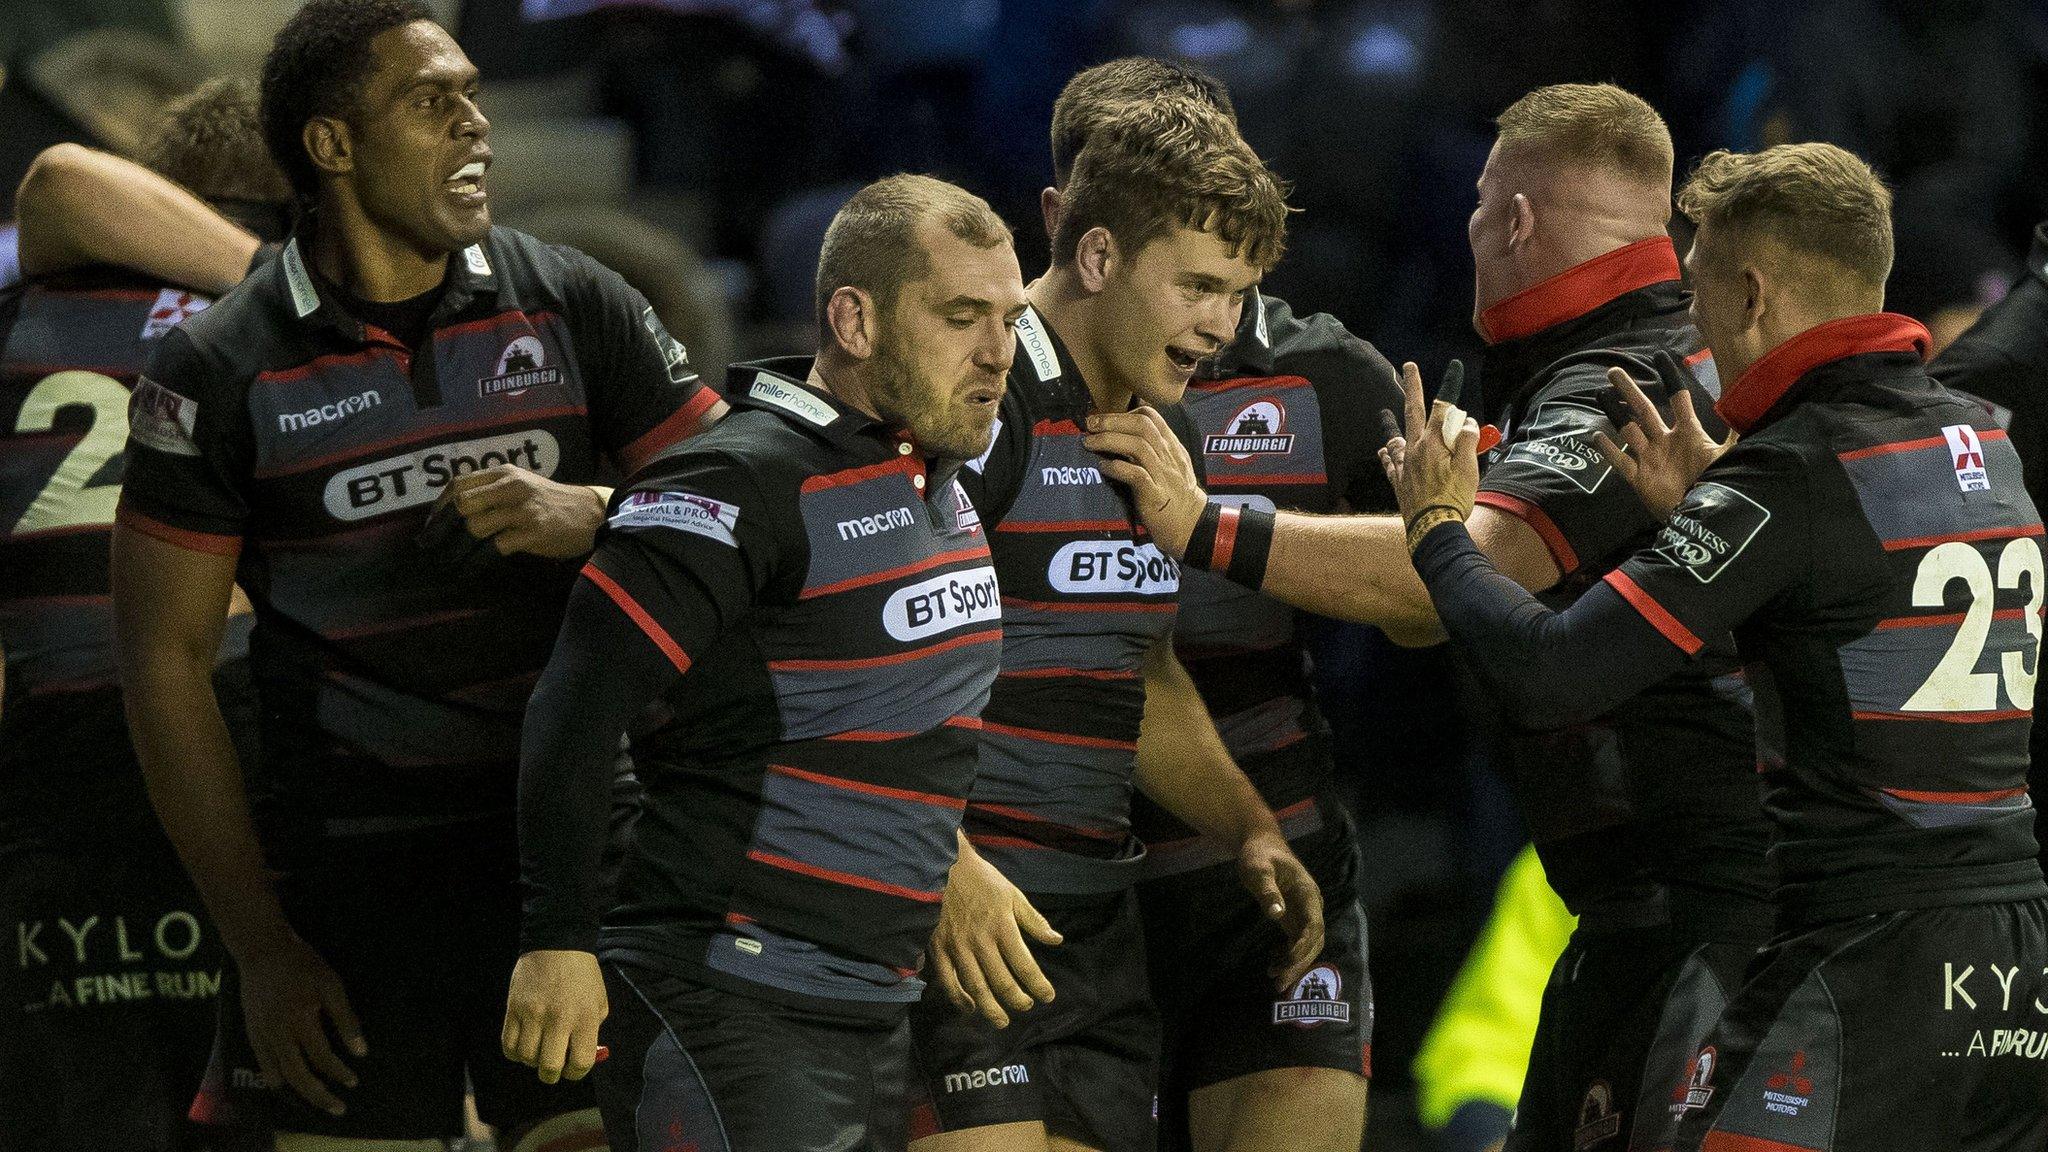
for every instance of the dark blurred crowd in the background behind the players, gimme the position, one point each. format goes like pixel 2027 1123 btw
pixel 701 147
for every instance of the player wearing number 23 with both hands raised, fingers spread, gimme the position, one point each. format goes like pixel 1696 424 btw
pixel 1873 548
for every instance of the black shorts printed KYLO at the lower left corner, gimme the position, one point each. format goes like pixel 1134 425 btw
pixel 108 1012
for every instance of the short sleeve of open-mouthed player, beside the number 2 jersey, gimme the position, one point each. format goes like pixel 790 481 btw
pixel 189 452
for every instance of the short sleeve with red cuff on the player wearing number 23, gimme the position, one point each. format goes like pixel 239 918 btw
pixel 1736 544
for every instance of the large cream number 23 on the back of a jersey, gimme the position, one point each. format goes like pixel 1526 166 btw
pixel 1957 686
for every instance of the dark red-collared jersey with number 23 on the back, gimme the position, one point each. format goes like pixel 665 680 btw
pixel 1877 559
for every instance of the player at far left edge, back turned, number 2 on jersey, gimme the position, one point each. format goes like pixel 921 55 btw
pixel 112 1001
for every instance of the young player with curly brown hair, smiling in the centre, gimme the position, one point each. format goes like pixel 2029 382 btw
pixel 1166 224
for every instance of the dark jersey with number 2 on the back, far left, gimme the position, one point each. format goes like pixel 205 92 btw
pixel 71 349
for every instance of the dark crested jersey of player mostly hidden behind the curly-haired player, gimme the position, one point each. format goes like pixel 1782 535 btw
pixel 1287 419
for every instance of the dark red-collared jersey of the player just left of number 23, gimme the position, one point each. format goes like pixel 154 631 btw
pixel 1607 813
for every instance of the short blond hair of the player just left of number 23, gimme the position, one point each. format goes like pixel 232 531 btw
pixel 1590 124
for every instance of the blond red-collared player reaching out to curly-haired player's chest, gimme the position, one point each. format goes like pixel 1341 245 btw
pixel 1664 870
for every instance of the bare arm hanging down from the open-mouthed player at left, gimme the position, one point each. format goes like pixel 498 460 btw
pixel 171 606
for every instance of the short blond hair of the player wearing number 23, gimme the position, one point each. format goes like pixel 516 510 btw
pixel 1814 200
